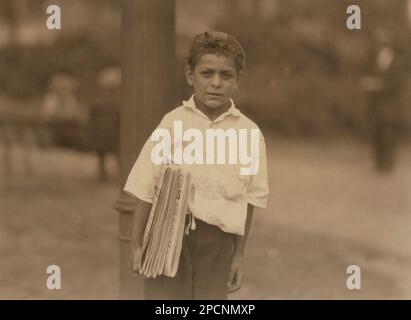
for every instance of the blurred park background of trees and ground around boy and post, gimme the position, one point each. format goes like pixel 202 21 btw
pixel 332 103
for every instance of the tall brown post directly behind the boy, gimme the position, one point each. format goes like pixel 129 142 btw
pixel 148 75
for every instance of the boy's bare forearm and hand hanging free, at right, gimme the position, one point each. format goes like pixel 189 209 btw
pixel 237 260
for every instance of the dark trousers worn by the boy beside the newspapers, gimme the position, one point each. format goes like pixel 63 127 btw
pixel 203 268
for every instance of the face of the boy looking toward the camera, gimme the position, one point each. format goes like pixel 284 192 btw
pixel 214 79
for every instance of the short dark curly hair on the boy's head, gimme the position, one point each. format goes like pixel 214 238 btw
pixel 219 43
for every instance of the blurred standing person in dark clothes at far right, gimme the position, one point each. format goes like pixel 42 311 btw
pixel 384 84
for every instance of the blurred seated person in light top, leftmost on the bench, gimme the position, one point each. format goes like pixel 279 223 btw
pixel 62 111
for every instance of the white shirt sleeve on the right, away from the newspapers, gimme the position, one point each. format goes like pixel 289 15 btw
pixel 257 190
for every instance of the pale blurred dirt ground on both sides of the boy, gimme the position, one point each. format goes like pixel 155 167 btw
pixel 328 209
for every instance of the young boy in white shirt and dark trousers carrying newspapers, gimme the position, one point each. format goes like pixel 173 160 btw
pixel 211 261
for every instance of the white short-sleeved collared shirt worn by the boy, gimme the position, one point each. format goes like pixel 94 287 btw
pixel 221 192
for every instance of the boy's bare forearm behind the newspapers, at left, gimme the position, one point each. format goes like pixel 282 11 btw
pixel 141 215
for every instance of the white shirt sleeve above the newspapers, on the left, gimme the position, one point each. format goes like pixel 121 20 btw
pixel 142 177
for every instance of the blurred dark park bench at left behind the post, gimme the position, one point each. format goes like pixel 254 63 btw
pixel 99 135
